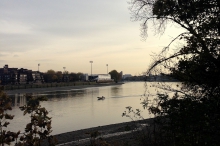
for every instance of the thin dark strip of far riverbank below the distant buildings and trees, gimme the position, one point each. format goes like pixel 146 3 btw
pixel 57 88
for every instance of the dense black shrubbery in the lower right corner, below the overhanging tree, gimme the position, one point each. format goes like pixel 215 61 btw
pixel 187 121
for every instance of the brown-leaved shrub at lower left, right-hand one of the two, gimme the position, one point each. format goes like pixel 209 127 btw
pixel 39 128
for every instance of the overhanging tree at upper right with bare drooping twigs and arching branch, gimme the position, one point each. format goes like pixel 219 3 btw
pixel 200 19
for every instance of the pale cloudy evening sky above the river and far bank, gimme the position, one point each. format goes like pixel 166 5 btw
pixel 71 33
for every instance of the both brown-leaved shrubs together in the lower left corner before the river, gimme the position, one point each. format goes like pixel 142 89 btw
pixel 36 131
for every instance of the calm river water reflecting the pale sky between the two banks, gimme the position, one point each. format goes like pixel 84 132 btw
pixel 79 108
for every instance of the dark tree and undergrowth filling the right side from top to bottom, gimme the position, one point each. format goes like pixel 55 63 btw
pixel 192 114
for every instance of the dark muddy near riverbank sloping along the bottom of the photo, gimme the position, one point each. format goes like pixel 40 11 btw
pixel 116 134
